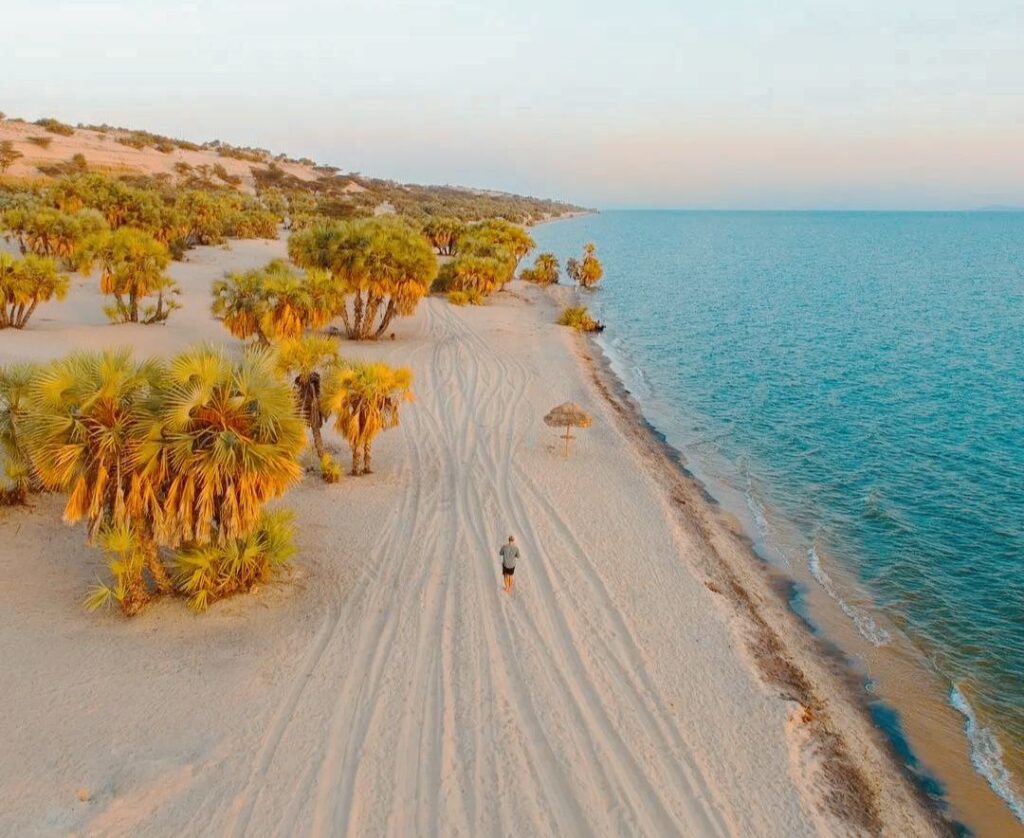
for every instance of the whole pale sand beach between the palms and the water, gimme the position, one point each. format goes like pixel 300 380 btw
pixel 644 679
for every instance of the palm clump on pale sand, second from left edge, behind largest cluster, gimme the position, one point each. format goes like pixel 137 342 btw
pixel 132 269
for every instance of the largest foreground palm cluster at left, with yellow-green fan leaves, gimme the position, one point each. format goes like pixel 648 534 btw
pixel 165 462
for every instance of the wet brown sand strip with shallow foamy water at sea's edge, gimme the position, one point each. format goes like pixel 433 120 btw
pixel 931 746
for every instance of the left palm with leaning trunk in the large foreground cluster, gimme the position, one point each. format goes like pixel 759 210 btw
pixel 88 420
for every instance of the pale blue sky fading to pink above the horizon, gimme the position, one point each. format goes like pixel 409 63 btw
pixel 721 104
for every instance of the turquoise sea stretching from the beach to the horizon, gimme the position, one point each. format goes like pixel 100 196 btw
pixel 862 376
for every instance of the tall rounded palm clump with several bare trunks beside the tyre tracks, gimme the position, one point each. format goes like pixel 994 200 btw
pixel 383 269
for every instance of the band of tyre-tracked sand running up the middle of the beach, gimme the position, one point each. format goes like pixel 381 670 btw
pixel 433 703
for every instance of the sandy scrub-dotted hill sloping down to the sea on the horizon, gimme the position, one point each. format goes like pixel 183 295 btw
pixel 52 149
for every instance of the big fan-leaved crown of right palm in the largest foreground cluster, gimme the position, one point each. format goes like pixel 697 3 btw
pixel 227 442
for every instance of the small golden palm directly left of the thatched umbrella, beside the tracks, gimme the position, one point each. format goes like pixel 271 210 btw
pixel 365 400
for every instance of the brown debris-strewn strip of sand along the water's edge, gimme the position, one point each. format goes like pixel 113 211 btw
pixel 866 774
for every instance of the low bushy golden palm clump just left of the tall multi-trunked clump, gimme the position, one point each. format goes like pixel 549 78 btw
pixel 276 302
